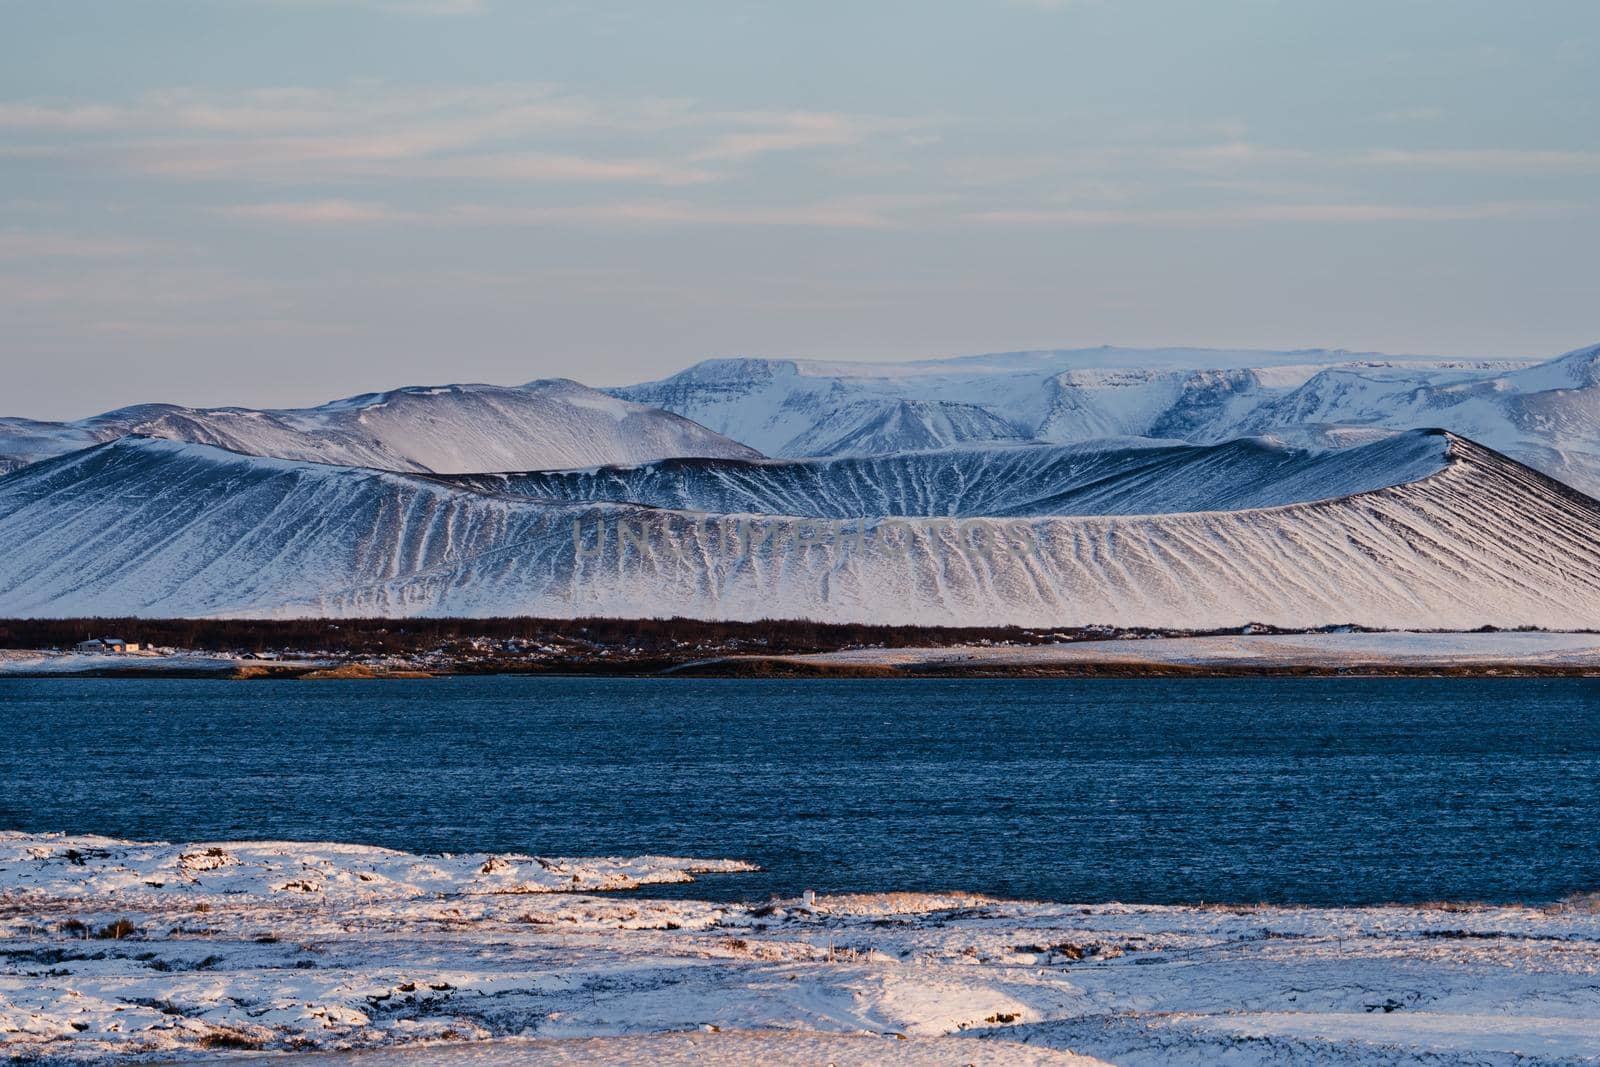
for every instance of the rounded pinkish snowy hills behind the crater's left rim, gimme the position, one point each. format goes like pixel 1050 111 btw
pixel 447 430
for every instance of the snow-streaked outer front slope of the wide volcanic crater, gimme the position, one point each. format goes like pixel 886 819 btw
pixel 161 529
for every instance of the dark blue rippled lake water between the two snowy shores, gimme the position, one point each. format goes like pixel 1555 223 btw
pixel 1154 791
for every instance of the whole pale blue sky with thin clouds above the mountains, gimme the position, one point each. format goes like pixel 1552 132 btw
pixel 278 202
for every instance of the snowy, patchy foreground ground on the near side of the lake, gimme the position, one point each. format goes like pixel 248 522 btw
pixel 113 951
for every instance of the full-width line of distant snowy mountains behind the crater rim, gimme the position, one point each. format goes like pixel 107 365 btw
pixel 1546 415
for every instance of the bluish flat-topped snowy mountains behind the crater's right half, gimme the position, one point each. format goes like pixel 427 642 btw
pixel 1546 415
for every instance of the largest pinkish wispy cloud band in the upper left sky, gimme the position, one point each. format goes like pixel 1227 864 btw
pixel 510 134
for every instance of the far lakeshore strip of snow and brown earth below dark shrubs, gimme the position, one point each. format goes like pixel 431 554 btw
pixel 1342 655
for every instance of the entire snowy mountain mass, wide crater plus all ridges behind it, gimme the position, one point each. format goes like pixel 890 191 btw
pixel 1036 489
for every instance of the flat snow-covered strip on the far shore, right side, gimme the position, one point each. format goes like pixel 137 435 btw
pixel 1334 652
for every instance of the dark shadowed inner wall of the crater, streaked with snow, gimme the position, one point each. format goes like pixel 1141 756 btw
pixel 999 482
